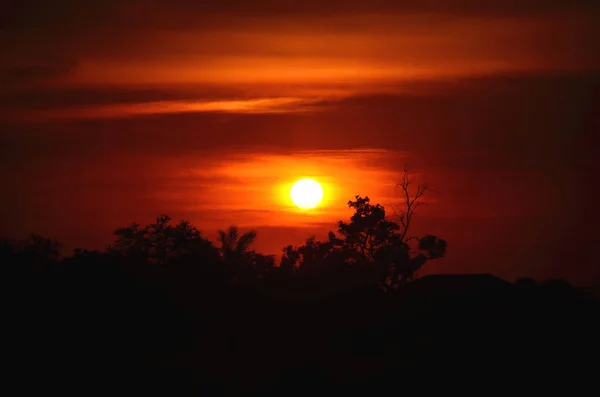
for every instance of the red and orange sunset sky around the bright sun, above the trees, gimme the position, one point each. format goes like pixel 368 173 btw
pixel 118 111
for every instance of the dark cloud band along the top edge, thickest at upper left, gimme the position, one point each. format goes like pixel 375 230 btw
pixel 58 24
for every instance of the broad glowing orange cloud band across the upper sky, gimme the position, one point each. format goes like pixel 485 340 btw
pixel 350 49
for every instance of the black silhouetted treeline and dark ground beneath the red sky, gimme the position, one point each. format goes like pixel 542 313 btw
pixel 164 309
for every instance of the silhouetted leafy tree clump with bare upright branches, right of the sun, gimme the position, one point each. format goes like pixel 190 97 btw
pixel 370 238
